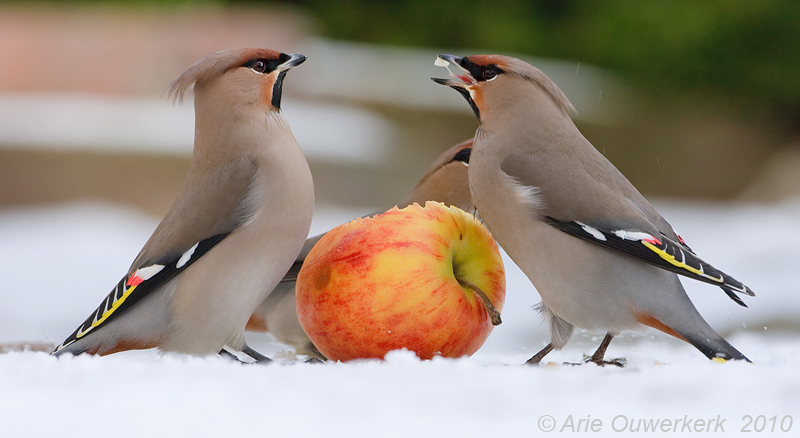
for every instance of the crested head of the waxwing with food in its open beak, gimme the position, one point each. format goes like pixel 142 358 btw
pixel 480 77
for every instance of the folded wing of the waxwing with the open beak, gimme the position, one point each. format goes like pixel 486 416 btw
pixel 602 207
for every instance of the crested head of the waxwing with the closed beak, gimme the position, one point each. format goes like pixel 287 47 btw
pixel 243 77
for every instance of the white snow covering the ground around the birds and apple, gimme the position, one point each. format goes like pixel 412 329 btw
pixel 57 263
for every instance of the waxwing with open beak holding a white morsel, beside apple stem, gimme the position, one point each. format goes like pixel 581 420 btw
pixel 599 254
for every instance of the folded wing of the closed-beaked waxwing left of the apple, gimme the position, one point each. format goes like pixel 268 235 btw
pixel 206 211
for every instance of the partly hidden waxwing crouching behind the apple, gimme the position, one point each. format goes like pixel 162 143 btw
pixel 445 181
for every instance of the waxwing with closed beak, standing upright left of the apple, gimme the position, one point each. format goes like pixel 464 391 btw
pixel 236 226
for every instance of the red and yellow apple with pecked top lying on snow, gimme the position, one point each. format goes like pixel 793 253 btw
pixel 429 279
